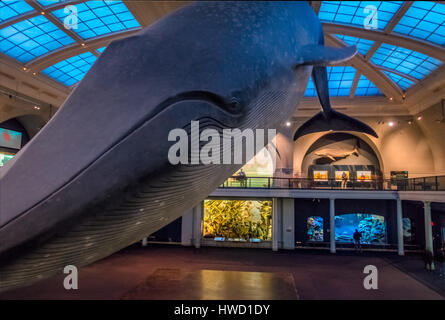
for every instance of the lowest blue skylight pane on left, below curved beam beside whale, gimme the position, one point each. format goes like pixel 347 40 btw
pixel 71 70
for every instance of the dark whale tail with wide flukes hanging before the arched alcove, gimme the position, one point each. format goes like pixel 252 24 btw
pixel 329 119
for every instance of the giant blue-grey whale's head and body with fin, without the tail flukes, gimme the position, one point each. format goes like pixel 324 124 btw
pixel 96 178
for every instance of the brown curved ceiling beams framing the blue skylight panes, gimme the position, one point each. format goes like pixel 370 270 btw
pixel 417 96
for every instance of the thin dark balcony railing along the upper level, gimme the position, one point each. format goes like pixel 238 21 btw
pixel 413 184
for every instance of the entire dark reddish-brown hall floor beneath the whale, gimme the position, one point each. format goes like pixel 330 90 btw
pixel 157 272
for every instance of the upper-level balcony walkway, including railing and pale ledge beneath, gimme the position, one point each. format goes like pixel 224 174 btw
pixel 416 189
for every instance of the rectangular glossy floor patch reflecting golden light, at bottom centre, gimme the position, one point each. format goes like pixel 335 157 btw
pixel 215 285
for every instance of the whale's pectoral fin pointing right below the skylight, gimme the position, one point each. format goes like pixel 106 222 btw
pixel 320 55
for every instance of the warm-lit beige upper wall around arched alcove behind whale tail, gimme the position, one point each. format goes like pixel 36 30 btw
pixel 417 147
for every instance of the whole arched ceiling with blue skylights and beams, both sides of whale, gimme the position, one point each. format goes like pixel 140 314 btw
pixel 401 48
